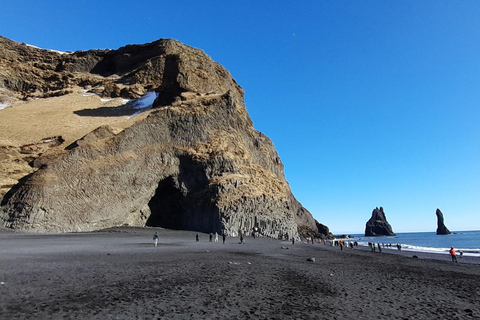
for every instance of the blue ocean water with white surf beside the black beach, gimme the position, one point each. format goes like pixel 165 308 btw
pixel 466 241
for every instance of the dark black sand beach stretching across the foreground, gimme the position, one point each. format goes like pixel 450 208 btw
pixel 119 274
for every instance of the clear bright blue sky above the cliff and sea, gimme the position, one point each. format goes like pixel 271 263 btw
pixel 368 103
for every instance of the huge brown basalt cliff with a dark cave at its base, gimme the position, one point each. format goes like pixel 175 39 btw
pixel 191 160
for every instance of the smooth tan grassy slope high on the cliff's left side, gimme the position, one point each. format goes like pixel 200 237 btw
pixel 27 126
